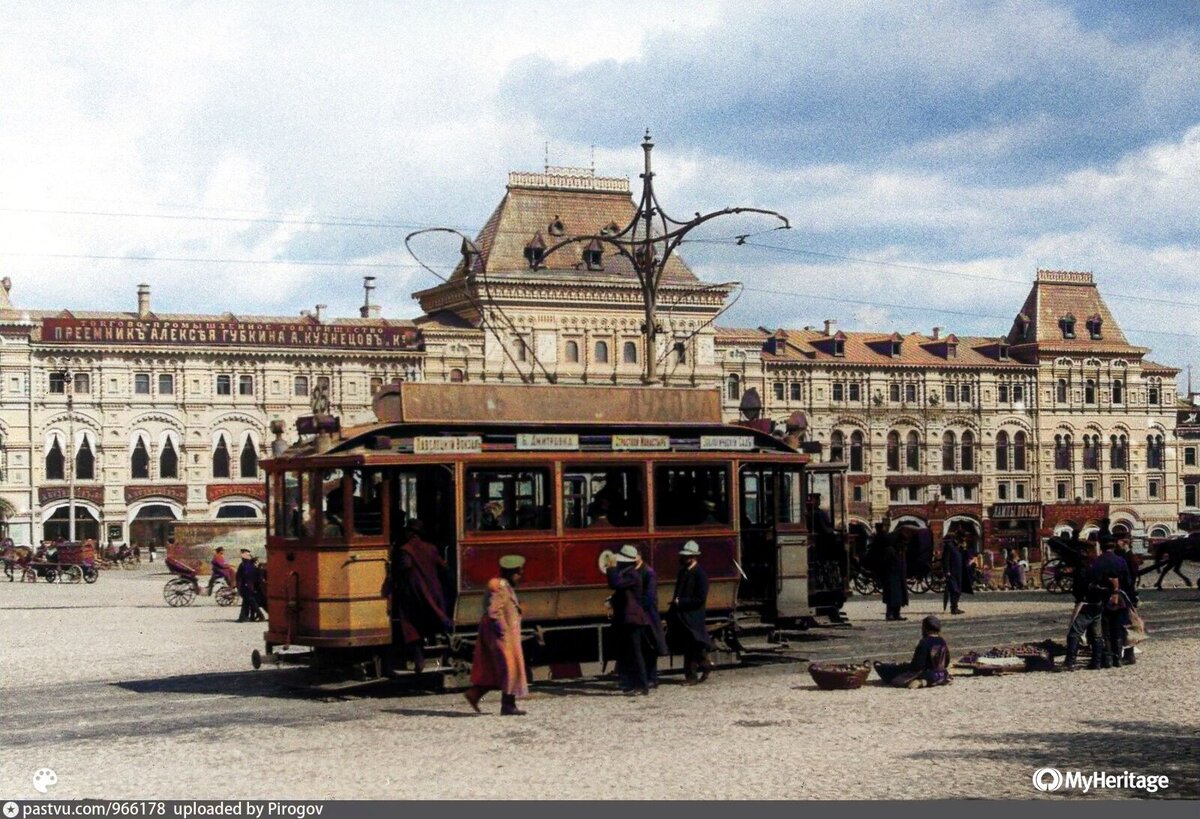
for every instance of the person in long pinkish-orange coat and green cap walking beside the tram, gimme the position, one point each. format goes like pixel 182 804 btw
pixel 500 661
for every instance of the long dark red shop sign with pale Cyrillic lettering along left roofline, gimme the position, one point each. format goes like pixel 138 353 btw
pixel 227 333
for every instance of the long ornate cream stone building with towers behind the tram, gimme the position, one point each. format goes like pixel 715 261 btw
pixel 160 417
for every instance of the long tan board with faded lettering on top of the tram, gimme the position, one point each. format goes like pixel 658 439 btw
pixel 417 403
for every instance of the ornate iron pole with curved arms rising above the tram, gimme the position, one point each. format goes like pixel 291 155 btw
pixel 649 242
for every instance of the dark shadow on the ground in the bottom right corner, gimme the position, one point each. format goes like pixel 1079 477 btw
pixel 1138 748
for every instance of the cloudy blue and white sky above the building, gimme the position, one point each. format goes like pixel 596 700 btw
pixel 975 139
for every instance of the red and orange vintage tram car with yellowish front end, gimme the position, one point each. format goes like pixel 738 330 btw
pixel 561 476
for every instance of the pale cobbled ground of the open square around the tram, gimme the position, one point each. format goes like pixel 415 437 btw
pixel 124 697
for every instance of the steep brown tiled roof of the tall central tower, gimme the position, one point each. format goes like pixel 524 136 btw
pixel 554 216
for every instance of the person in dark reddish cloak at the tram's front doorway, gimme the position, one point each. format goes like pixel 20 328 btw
pixel 419 594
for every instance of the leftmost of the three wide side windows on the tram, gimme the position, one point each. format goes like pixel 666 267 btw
pixel 508 500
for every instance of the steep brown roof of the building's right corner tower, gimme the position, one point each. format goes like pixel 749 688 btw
pixel 1061 295
